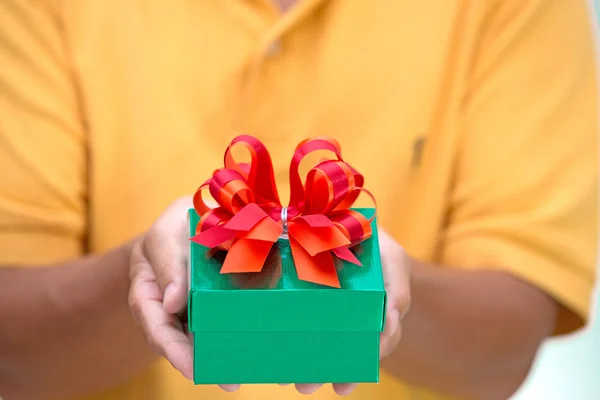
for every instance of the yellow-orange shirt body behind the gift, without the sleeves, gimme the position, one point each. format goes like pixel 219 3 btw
pixel 166 86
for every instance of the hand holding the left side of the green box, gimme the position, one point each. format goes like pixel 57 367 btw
pixel 159 287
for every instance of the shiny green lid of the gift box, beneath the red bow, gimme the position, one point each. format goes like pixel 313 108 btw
pixel 276 300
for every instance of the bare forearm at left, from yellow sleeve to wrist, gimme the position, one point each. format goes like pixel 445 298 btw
pixel 66 328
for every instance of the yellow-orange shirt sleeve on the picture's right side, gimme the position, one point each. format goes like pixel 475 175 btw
pixel 525 195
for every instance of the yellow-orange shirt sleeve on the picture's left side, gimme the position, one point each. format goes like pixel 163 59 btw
pixel 42 141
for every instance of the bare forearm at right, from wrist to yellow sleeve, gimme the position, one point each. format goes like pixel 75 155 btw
pixel 473 334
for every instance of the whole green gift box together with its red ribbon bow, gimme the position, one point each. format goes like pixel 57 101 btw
pixel 283 294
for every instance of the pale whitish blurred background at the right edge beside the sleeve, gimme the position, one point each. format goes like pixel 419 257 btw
pixel 569 368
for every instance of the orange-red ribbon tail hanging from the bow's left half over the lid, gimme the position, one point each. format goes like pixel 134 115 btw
pixel 246 255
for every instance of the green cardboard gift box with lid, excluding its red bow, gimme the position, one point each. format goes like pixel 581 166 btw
pixel 271 327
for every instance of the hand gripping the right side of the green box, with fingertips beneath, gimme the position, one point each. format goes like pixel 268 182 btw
pixel 396 274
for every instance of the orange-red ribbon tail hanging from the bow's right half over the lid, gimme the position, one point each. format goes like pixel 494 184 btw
pixel 318 269
